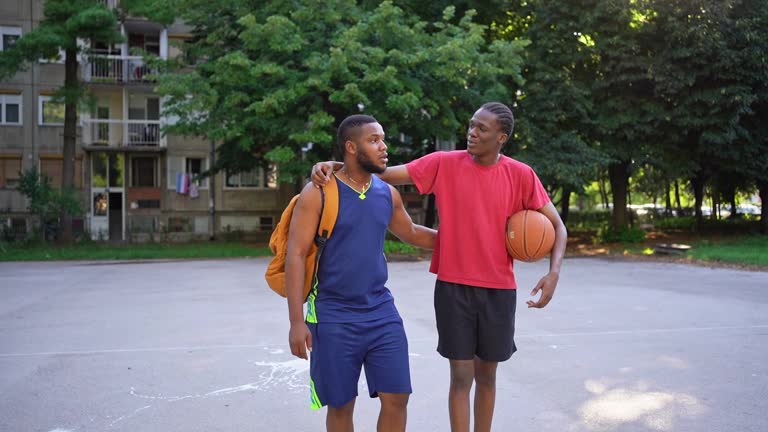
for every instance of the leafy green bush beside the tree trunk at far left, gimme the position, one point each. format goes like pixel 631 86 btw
pixel 46 202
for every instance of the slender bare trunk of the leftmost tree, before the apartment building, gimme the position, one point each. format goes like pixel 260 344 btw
pixel 70 138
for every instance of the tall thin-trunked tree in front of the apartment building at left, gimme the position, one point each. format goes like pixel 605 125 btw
pixel 65 22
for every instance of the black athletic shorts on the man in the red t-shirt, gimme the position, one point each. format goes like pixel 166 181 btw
pixel 475 322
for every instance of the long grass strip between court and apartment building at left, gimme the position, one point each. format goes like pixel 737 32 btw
pixel 100 251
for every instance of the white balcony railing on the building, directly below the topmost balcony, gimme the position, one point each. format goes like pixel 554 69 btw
pixel 123 133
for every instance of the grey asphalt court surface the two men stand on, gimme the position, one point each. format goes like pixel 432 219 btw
pixel 201 346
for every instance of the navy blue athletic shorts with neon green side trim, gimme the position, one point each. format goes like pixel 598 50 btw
pixel 339 350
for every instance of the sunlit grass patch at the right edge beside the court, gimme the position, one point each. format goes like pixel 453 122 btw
pixel 752 250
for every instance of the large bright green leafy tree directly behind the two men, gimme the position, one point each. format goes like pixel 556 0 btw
pixel 275 76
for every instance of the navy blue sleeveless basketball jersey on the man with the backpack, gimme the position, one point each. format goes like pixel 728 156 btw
pixel 352 272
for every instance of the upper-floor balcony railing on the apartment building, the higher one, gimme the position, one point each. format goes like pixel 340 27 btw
pixel 117 69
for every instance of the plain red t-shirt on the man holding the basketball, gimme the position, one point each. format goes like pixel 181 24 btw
pixel 473 203
